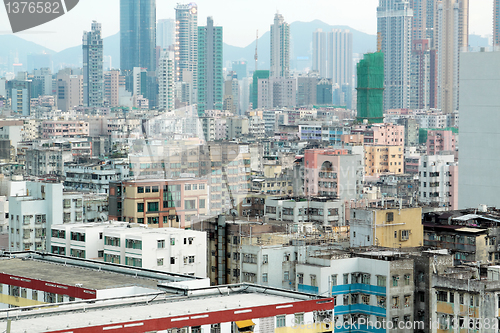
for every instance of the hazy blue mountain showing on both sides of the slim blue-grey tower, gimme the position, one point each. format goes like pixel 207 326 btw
pixel 72 57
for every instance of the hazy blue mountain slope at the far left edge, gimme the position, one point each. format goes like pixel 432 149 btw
pixel 15 50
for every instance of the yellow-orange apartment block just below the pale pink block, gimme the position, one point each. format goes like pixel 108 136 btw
pixel 384 159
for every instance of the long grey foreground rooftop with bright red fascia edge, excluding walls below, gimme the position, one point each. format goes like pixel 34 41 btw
pixel 206 304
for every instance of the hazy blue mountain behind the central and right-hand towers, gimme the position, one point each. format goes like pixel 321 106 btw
pixel 301 45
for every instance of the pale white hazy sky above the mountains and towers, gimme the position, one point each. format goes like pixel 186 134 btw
pixel 240 18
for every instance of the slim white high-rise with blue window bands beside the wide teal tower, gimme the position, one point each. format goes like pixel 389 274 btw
pixel 186 48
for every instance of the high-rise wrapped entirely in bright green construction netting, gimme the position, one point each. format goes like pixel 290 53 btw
pixel 370 88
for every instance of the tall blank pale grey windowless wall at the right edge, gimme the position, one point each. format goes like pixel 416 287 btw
pixel 479 130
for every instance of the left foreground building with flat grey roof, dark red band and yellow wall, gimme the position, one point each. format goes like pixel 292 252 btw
pixel 34 279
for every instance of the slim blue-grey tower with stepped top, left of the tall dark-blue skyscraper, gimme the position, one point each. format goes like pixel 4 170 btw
pixel 93 81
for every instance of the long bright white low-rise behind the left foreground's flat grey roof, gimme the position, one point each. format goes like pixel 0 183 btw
pixel 166 249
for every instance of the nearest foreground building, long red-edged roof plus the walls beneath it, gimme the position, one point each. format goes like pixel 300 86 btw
pixel 224 309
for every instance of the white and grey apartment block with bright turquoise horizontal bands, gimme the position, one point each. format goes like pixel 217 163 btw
pixel 374 287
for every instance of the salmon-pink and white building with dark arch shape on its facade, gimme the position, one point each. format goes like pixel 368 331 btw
pixel 333 173
